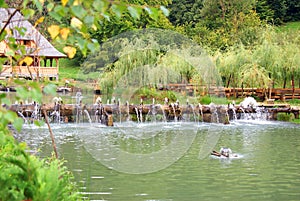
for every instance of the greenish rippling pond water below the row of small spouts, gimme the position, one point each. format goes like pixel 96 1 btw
pixel 268 169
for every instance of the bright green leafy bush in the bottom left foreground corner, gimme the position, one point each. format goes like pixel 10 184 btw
pixel 24 176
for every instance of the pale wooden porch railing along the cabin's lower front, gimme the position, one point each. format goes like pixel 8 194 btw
pixel 24 71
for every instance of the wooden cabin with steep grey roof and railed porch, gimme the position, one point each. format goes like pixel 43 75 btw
pixel 45 56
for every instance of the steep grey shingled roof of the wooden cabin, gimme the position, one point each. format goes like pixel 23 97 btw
pixel 44 47
